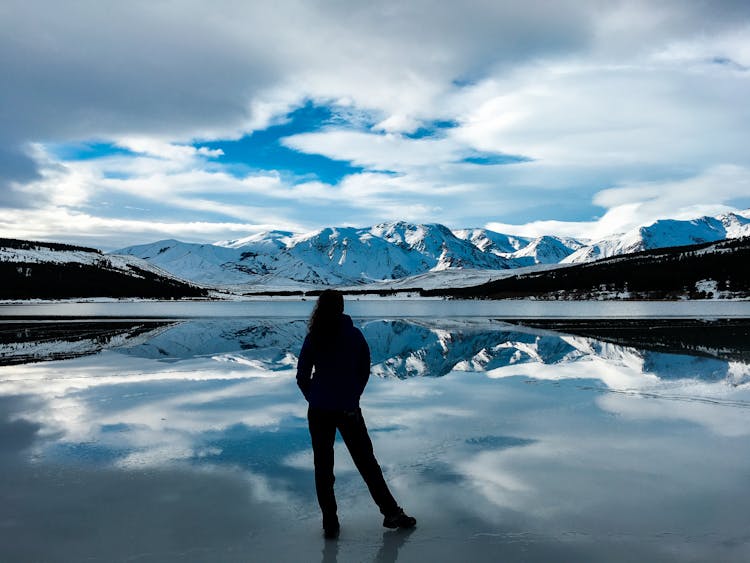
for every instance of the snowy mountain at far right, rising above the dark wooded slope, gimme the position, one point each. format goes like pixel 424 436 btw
pixel 664 233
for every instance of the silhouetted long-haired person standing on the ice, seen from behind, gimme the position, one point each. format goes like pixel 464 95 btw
pixel 333 369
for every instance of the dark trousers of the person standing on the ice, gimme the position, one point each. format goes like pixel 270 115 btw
pixel 351 425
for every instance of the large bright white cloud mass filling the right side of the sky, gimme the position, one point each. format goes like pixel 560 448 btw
pixel 605 126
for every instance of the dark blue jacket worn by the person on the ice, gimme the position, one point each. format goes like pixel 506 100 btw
pixel 341 369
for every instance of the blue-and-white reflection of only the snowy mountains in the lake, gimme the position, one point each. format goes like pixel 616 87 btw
pixel 421 348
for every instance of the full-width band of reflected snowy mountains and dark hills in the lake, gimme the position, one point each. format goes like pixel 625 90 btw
pixel 407 348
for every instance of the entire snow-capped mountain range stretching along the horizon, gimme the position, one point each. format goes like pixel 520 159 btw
pixel 397 250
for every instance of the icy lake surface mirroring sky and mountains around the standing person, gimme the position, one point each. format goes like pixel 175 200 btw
pixel 186 440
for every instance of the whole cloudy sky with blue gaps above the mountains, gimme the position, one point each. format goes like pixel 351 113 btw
pixel 129 122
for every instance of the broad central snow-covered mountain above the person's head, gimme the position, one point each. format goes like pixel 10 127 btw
pixel 330 256
